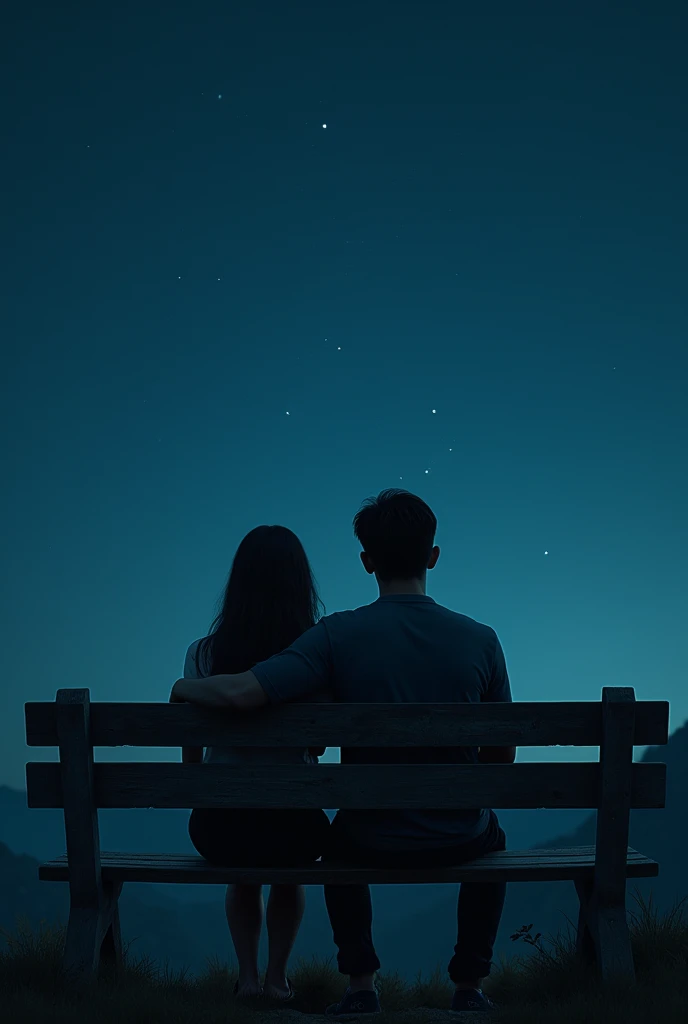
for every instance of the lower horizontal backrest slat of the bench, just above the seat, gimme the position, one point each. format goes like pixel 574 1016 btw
pixel 367 787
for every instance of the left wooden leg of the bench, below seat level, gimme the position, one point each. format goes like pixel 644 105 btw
pixel 92 930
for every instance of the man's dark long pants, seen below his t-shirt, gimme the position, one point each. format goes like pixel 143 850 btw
pixel 480 911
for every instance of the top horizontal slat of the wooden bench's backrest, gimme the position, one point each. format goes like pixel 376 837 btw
pixel 521 724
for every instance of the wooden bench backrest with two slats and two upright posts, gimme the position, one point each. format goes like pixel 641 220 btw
pixel 613 785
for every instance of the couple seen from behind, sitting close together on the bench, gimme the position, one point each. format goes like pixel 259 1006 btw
pixel 270 646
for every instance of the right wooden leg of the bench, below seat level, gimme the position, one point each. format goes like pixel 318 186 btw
pixel 604 933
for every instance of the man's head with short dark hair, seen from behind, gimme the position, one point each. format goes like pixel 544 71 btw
pixel 397 531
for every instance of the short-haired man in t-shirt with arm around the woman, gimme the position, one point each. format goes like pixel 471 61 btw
pixel 404 648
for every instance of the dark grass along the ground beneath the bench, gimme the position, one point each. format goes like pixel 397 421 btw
pixel 539 986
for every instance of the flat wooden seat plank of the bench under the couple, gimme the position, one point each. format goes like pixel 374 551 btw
pixel 508 866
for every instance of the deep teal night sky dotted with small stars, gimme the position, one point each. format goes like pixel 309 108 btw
pixel 219 313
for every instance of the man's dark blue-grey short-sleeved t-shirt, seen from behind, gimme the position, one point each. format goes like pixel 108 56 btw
pixel 402 649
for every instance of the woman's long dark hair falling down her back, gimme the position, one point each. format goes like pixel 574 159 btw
pixel 270 601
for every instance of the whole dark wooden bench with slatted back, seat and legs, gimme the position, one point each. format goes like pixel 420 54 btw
pixel 613 786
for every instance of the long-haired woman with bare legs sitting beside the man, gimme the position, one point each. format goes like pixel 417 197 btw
pixel 271 600
